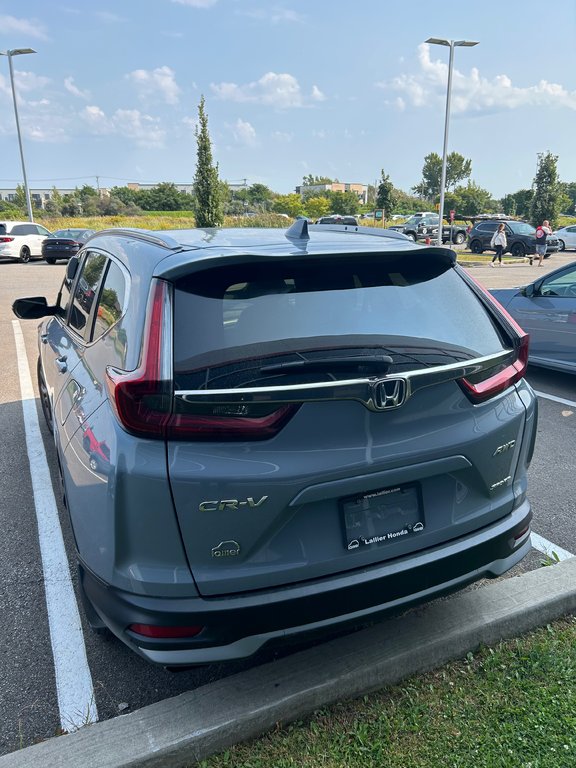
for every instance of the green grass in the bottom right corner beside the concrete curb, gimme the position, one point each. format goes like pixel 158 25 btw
pixel 512 706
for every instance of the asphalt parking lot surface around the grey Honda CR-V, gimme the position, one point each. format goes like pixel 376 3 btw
pixel 121 682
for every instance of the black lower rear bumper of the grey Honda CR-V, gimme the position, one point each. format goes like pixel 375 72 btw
pixel 237 626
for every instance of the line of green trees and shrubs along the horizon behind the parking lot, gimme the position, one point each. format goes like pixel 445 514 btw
pixel 212 198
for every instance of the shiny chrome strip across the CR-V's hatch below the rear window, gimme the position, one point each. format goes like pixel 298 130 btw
pixel 363 390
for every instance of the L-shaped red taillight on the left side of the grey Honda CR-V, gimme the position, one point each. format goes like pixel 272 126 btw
pixel 144 403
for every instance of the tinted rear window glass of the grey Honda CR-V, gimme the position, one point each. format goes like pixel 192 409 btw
pixel 230 323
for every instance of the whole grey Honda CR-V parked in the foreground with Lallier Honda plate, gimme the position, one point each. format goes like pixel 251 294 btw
pixel 264 433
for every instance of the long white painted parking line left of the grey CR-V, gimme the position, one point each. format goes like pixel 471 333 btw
pixel 73 680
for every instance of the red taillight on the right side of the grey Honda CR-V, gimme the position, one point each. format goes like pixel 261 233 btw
pixel 494 382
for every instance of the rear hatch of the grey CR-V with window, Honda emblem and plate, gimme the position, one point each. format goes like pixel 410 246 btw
pixel 330 414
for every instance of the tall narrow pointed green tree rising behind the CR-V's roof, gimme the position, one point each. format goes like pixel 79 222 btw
pixel 208 207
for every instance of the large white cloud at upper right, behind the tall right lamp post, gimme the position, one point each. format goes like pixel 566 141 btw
pixel 472 93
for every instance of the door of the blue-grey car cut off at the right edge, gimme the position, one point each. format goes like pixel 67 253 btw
pixel 548 314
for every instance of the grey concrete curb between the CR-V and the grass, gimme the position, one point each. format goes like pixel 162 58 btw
pixel 179 731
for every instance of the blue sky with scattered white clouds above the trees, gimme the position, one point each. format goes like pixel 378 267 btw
pixel 292 87
